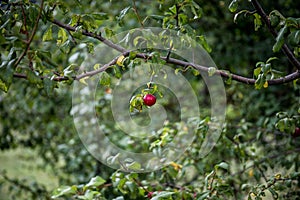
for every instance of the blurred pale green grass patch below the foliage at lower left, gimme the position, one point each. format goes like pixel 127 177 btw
pixel 24 164
